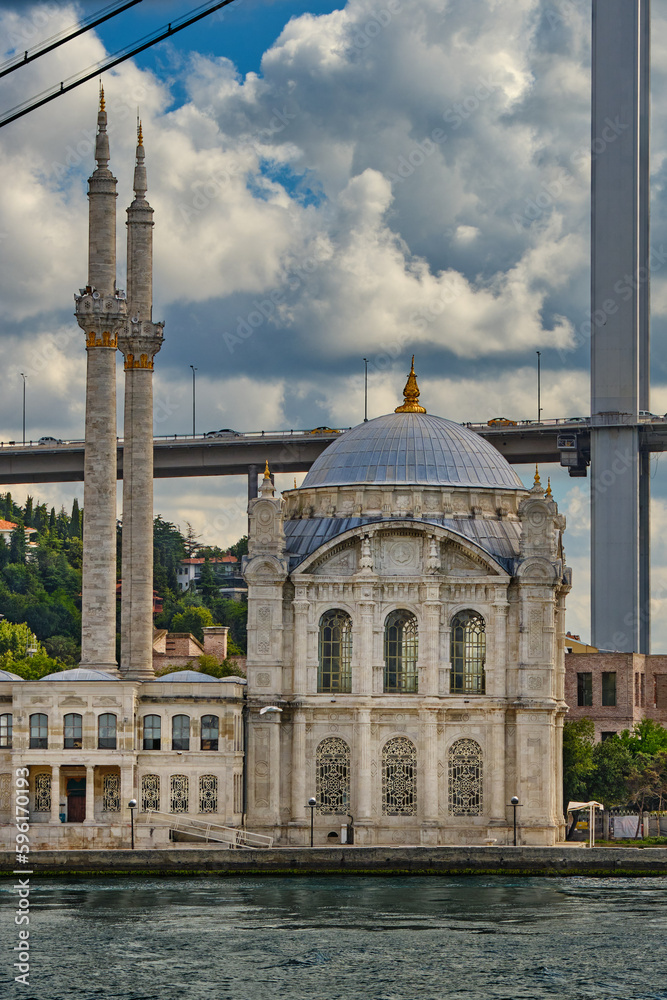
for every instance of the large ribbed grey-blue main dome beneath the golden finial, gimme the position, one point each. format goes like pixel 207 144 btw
pixel 412 448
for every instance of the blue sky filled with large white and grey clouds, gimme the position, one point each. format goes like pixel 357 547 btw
pixel 330 182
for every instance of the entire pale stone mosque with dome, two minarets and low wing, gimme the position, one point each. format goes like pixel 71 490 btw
pixel 405 665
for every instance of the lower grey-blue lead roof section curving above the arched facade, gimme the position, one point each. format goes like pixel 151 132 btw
pixel 499 538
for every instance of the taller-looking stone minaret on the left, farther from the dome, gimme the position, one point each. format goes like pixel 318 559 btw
pixel 100 312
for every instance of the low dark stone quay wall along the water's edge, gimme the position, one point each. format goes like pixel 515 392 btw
pixel 551 861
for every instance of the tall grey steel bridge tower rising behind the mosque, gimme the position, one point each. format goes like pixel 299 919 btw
pixel 620 585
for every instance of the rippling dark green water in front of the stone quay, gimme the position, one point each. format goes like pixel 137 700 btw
pixel 341 939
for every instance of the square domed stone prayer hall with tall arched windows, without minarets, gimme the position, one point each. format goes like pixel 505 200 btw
pixel 406 617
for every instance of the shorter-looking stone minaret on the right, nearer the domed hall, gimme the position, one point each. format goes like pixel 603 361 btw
pixel 140 341
